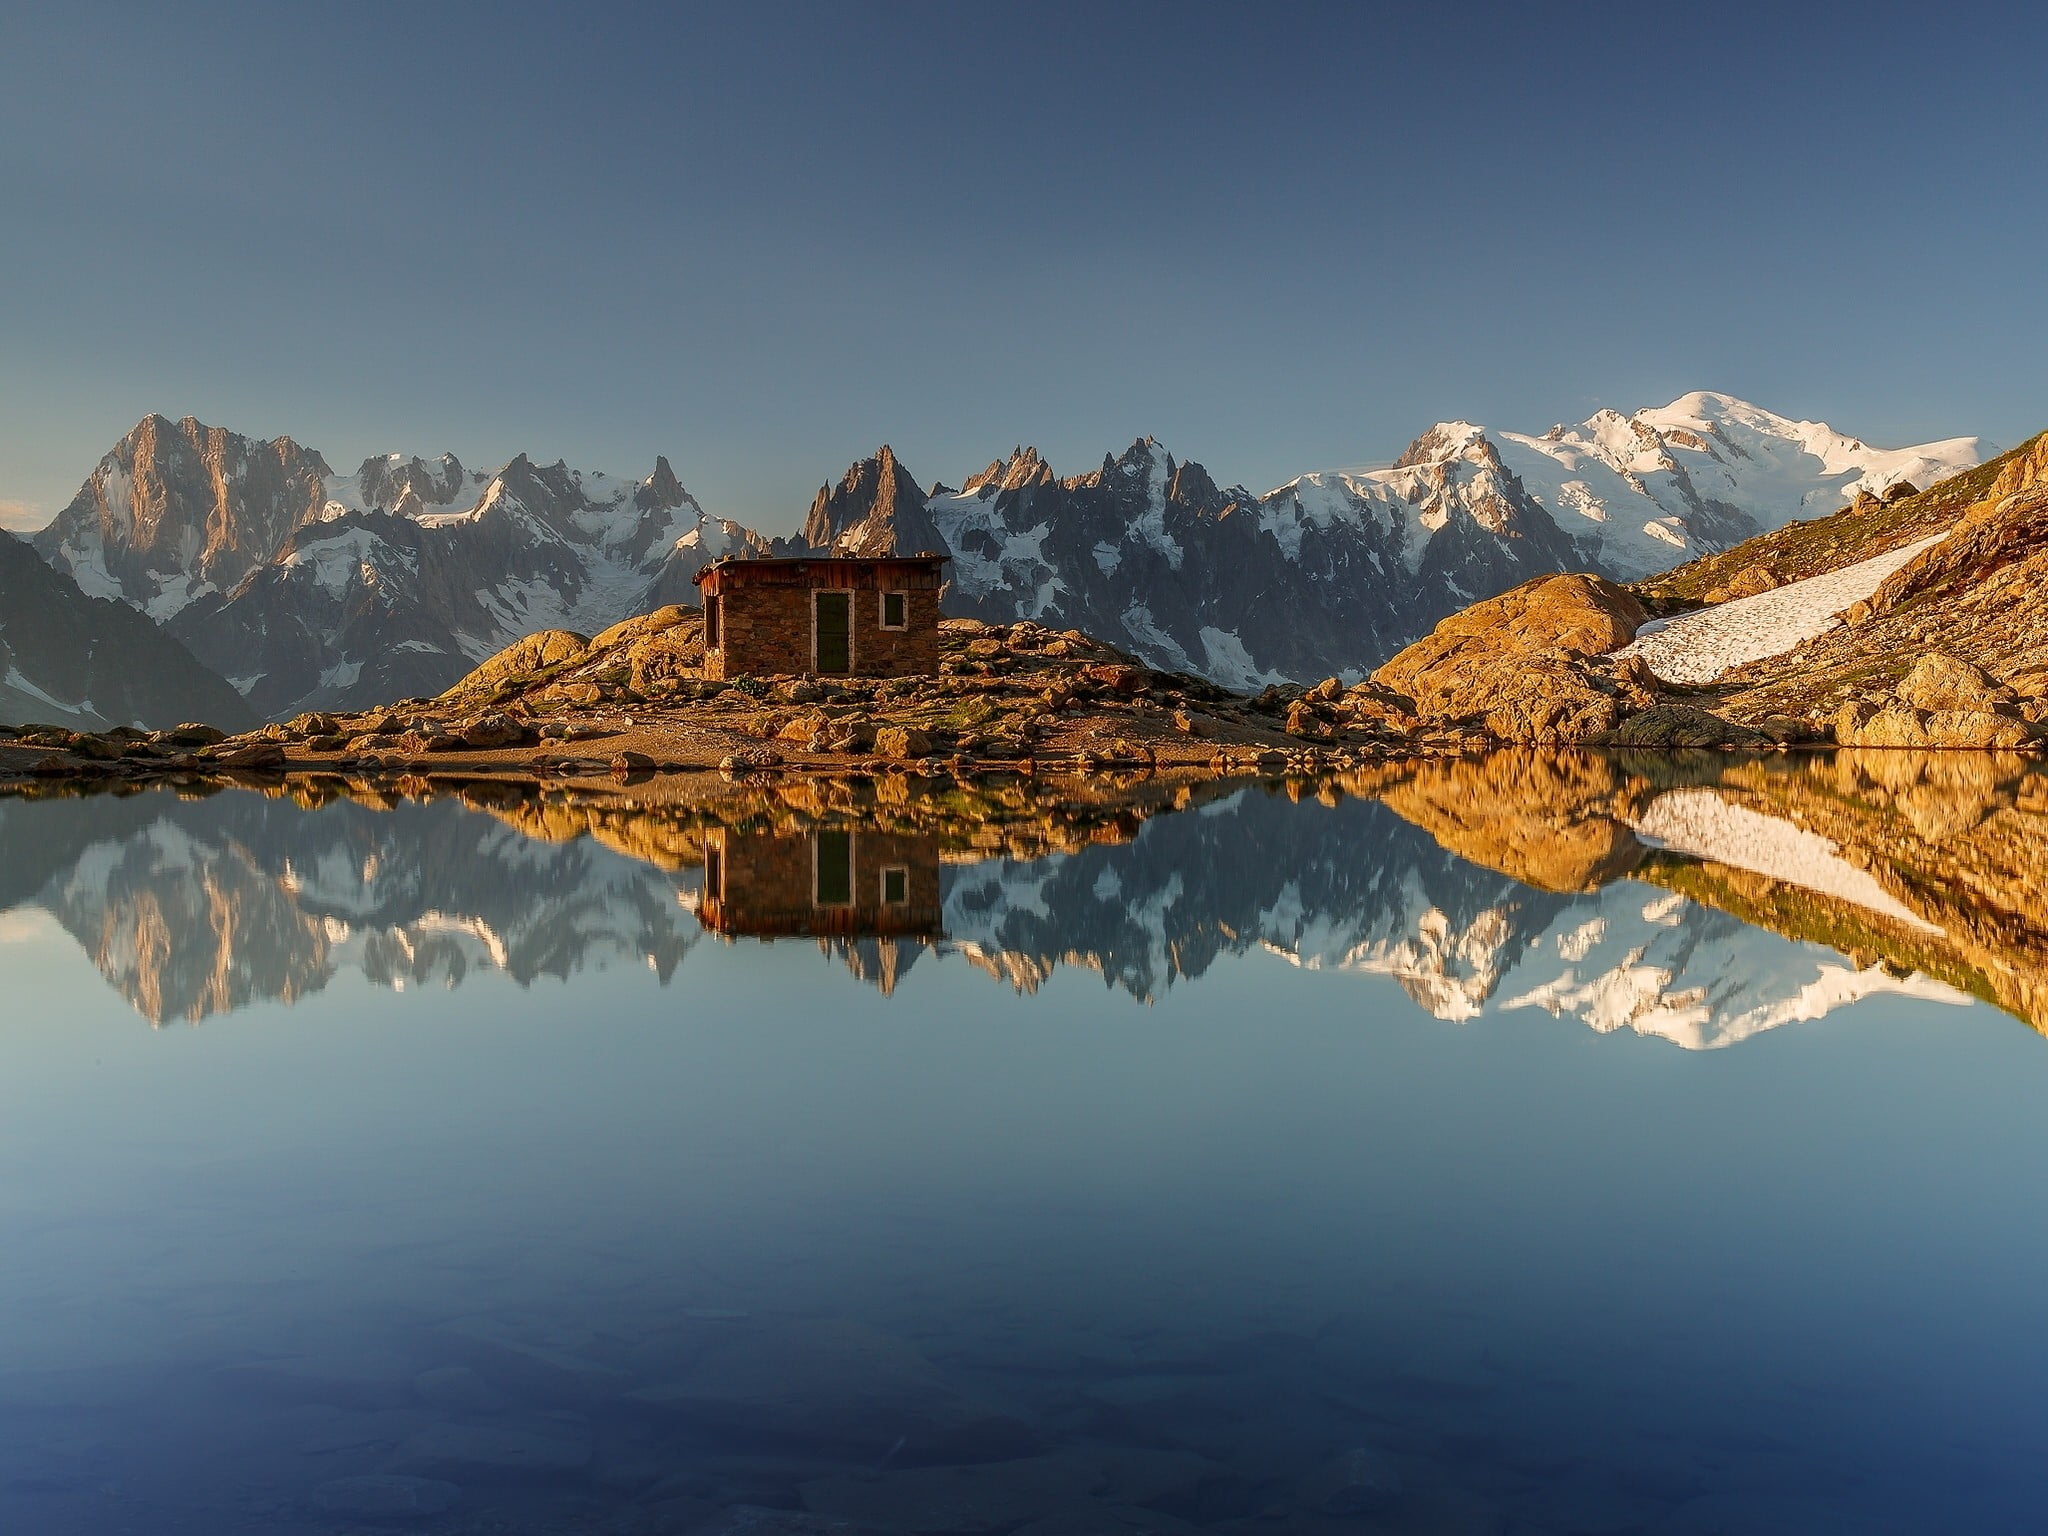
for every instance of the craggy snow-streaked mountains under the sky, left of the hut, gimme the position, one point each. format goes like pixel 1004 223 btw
pixel 316 591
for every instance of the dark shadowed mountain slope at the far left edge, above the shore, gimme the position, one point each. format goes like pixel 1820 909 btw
pixel 93 663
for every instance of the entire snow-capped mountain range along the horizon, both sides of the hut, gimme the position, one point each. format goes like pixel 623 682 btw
pixel 312 591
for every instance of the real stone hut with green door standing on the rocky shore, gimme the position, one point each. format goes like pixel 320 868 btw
pixel 830 615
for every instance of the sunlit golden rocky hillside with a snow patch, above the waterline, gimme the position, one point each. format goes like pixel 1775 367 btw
pixel 1910 622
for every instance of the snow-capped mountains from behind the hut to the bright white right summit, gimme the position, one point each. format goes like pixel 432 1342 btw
pixel 1334 572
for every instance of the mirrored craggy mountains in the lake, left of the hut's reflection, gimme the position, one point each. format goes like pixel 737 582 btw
pixel 196 908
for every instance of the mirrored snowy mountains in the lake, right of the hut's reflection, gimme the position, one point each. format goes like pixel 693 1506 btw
pixel 1361 890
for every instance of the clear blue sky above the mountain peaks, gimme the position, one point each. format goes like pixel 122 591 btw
pixel 767 239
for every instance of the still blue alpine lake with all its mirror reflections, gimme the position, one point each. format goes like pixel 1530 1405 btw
pixel 1523 1146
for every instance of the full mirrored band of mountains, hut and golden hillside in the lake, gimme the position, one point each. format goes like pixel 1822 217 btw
pixel 1697 902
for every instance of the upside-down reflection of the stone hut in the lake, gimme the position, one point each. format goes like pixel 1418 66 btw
pixel 828 884
